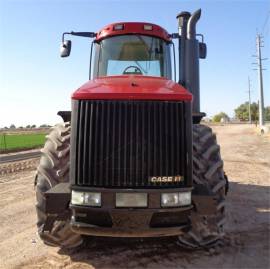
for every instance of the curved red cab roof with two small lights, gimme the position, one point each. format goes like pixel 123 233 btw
pixel 125 28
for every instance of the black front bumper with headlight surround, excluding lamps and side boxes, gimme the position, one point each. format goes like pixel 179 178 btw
pixel 152 221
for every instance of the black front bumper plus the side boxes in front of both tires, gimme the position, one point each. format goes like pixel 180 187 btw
pixel 108 220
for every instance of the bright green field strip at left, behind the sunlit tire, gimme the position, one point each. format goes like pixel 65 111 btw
pixel 13 142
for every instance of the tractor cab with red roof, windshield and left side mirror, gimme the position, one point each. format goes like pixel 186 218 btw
pixel 131 49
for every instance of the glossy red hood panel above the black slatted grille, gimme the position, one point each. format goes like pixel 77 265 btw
pixel 132 88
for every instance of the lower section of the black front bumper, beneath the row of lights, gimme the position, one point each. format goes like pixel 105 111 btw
pixel 129 223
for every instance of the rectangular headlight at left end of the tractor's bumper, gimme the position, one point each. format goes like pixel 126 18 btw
pixel 86 198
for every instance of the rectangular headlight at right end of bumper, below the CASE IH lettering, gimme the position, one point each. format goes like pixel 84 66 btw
pixel 174 199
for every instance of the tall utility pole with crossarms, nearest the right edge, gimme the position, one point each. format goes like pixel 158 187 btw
pixel 260 78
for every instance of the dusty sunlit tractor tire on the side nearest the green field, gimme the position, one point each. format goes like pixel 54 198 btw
pixel 54 169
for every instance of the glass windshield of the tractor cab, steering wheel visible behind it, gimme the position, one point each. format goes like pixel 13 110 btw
pixel 133 55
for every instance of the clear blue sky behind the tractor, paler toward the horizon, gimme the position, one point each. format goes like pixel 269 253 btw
pixel 35 82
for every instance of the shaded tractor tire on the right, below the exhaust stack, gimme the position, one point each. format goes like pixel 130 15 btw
pixel 207 230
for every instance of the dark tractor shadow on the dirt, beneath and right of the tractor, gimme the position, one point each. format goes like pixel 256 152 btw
pixel 247 213
